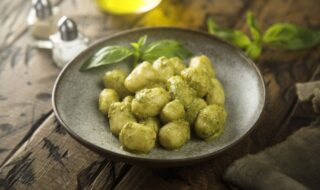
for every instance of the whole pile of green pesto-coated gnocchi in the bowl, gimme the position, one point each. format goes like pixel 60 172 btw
pixel 183 99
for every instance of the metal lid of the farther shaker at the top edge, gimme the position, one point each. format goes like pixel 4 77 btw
pixel 42 8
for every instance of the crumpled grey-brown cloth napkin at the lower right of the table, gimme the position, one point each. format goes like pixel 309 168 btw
pixel 293 164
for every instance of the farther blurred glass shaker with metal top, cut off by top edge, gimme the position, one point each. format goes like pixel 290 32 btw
pixel 42 19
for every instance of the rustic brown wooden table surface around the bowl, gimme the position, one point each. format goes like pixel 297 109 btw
pixel 37 153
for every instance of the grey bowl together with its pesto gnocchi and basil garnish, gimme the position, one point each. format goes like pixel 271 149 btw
pixel 170 103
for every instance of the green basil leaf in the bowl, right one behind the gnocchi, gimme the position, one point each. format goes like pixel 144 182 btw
pixel 166 48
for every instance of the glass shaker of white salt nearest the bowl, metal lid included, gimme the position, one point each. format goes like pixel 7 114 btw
pixel 67 42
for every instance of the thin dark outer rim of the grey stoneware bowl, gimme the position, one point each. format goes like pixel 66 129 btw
pixel 146 161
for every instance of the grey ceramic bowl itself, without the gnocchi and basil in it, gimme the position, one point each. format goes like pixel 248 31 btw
pixel 75 96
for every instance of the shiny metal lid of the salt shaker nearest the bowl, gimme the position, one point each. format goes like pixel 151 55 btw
pixel 67 29
